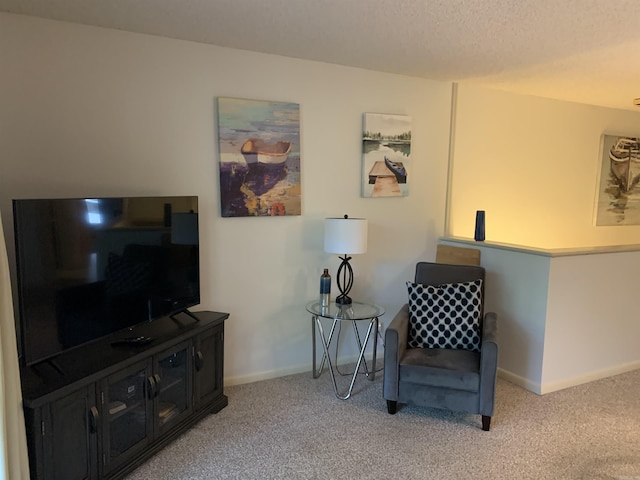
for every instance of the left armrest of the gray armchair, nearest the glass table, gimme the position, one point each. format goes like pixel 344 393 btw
pixel 395 344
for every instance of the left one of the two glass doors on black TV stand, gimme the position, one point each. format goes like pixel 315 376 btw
pixel 127 414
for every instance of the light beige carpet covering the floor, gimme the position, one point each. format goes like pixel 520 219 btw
pixel 294 428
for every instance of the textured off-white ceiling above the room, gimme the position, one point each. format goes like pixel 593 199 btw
pixel 586 51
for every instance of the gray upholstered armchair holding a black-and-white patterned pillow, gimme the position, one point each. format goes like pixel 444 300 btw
pixel 462 378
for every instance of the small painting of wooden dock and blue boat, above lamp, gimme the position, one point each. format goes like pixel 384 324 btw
pixel 386 151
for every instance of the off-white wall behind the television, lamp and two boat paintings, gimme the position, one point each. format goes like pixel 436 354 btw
pixel 86 111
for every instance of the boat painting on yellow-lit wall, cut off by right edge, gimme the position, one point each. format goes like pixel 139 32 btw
pixel 618 196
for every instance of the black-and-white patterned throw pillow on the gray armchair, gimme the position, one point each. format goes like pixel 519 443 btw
pixel 445 316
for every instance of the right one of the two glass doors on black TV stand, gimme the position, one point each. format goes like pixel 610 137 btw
pixel 173 384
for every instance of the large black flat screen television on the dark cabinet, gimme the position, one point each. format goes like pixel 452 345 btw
pixel 89 267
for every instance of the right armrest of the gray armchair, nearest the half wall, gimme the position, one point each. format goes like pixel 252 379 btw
pixel 488 363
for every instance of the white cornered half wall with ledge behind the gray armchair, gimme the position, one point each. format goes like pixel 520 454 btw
pixel 565 317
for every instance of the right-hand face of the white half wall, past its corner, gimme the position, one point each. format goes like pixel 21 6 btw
pixel 592 328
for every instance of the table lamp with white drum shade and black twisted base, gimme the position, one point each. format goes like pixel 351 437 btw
pixel 347 236
